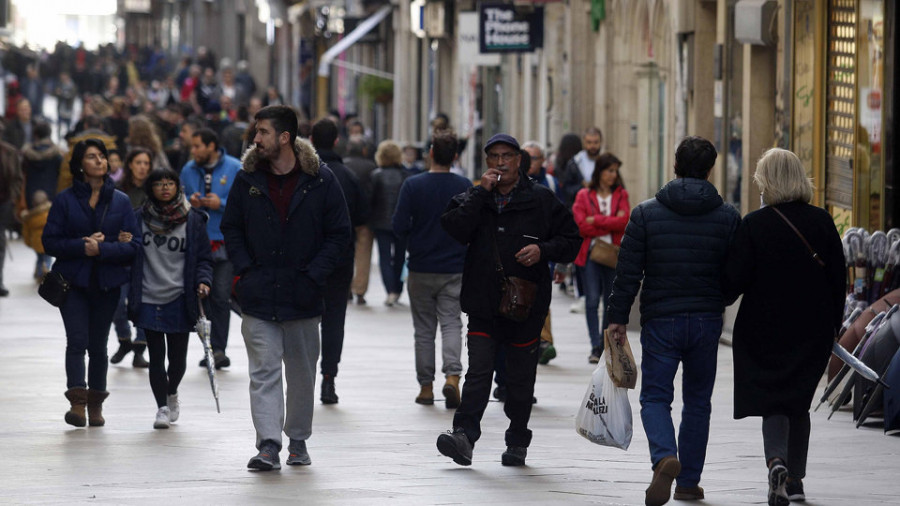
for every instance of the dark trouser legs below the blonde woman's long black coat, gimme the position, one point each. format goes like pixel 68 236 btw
pixel 787 438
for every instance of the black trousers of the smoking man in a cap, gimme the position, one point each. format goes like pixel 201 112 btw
pixel 520 341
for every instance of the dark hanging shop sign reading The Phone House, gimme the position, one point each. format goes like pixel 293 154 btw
pixel 504 30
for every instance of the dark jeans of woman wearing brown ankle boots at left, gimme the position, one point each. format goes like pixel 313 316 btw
pixel 87 316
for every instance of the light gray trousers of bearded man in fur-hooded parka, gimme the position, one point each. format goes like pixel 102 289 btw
pixel 296 343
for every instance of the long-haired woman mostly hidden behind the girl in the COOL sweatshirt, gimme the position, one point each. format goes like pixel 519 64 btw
pixel 138 162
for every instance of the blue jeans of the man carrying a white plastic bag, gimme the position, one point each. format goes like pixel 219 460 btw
pixel 693 340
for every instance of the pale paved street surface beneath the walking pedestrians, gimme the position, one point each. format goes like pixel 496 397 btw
pixel 376 446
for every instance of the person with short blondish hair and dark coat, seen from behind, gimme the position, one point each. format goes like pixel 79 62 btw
pixel 386 182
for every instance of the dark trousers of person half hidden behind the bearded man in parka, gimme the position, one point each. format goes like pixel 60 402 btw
pixel 337 286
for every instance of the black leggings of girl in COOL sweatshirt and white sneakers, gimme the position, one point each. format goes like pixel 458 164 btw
pixel 163 382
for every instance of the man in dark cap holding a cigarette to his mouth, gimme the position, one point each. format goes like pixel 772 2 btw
pixel 522 225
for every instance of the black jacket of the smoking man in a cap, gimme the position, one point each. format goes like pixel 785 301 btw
pixel 533 216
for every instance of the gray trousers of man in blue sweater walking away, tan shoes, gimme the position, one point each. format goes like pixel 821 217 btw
pixel 433 299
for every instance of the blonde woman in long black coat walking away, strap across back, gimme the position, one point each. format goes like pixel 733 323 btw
pixel 791 311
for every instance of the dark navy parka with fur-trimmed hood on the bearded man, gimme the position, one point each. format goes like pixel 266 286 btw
pixel 284 267
